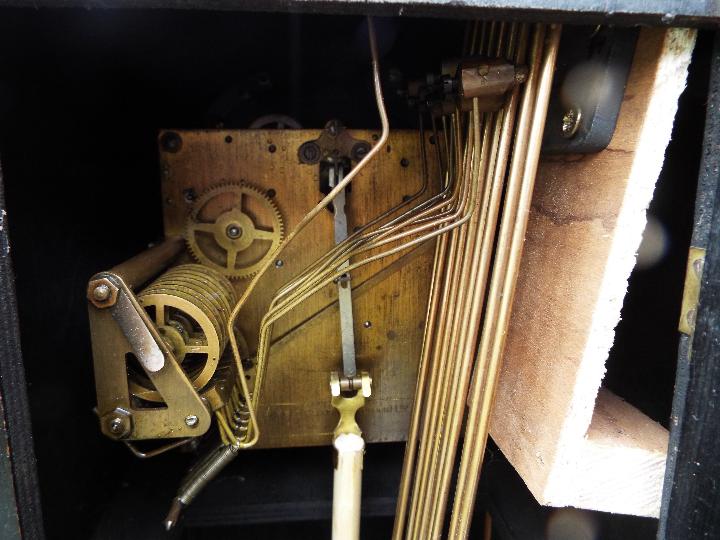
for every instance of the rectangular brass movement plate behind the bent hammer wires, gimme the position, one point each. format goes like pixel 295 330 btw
pixel 390 295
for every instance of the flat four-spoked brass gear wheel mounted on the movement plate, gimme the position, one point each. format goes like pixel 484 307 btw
pixel 233 228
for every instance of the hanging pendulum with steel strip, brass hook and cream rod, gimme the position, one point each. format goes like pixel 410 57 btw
pixel 348 395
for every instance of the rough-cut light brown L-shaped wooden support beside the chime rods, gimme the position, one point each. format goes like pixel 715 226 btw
pixel 586 223
